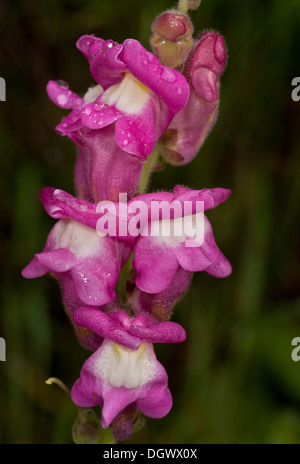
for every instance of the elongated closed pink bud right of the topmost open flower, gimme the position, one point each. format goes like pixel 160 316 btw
pixel 190 127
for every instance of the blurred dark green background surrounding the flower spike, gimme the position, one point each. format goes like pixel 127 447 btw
pixel 233 380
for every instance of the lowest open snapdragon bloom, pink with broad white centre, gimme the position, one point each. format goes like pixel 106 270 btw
pixel 124 370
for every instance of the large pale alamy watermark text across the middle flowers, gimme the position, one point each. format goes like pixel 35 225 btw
pixel 172 222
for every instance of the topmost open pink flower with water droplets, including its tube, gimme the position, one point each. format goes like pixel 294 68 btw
pixel 118 121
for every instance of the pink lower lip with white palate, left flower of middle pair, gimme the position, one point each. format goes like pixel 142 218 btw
pixel 75 251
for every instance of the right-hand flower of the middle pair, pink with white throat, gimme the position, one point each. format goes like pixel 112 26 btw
pixel 157 258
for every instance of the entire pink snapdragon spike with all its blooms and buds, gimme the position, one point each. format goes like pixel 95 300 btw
pixel 141 102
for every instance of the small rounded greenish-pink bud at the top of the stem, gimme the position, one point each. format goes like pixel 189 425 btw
pixel 172 40
